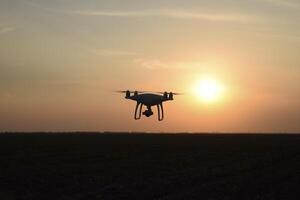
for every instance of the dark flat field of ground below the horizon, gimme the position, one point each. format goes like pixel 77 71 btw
pixel 148 166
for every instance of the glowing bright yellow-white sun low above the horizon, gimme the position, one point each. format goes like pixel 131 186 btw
pixel 208 90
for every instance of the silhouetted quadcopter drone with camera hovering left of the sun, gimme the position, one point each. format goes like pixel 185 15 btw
pixel 148 99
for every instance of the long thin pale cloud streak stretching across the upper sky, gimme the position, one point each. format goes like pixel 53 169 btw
pixel 179 14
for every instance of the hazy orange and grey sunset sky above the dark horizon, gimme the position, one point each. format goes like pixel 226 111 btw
pixel 61 60
